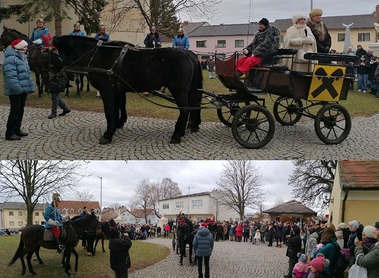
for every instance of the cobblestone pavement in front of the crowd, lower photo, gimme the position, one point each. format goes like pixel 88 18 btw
pixel 229 259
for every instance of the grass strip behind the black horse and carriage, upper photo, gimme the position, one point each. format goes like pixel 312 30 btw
pixel 357 104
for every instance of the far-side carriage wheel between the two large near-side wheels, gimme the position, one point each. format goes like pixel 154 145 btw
pixel 286 110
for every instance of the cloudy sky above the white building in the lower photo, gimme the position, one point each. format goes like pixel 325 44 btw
pixel 120 178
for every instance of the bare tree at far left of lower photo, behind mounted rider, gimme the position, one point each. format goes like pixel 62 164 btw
pixel 32 180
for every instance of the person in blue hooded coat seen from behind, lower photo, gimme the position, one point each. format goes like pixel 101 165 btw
pixel 203 246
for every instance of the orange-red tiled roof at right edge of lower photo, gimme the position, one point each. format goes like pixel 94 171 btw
pixel 359 175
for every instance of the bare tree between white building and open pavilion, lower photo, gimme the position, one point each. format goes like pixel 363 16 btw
pixel 240 186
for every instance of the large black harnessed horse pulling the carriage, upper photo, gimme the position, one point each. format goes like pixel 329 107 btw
pixel 115 68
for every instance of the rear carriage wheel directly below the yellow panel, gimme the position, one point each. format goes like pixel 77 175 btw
pixel 332 123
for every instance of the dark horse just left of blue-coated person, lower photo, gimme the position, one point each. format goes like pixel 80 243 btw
pixel 185 234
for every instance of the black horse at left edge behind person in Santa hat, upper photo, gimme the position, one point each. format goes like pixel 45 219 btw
pixel 34 53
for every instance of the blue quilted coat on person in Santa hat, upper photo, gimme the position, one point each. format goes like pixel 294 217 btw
pixel 17 75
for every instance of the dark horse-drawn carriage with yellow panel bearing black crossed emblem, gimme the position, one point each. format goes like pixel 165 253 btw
pixel 323 85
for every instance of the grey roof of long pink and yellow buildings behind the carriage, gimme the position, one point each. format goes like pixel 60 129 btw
pixel 365 21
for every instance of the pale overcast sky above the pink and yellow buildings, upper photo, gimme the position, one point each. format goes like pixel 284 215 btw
pixel 243 11
